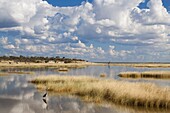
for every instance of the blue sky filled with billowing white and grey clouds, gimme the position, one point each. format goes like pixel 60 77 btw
pixel 94 30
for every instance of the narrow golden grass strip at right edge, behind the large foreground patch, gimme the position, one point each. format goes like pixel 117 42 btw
pixel 148 74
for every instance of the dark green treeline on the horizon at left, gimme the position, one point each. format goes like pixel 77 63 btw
pixel 38 59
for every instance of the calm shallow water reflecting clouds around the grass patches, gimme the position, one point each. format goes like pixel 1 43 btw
pixel 19 96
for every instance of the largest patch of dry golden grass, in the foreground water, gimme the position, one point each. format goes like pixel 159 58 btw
pixel 98 90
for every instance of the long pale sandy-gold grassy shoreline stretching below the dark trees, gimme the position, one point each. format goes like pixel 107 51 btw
pixel 83 64
